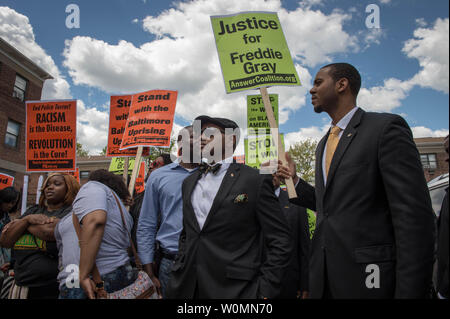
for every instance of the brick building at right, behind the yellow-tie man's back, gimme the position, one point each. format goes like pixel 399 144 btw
pixel 432 155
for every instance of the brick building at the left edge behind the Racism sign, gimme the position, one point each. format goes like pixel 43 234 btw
pixel 20 80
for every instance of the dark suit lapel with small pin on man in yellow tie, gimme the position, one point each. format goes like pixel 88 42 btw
pixel 347 137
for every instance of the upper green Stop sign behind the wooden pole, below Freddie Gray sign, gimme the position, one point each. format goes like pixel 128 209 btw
pixel 256 113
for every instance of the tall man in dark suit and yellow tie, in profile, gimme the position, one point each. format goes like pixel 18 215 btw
pixel 375 226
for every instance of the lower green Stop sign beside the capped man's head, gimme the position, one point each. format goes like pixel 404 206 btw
pixel 260 149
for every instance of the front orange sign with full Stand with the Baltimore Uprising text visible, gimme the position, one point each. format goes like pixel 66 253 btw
pixel 150 119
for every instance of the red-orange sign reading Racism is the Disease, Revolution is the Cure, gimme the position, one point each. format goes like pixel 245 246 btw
pixel 51 135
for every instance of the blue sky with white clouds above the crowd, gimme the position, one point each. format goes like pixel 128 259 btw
pixel 130 46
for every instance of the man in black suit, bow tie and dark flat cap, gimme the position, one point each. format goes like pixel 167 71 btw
pixel 228 209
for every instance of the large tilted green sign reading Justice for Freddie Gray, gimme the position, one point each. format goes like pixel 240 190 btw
pixel 253 52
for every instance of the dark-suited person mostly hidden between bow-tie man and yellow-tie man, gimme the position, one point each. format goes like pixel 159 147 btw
pixel 295 279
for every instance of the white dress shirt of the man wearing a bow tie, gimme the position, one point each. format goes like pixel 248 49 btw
pixel 205 191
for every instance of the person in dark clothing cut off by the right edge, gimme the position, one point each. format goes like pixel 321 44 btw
pixel 443 267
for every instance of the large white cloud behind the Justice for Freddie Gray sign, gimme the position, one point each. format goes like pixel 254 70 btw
pixel 184 57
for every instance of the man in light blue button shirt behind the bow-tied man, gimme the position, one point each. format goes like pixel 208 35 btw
pixel 162 201
